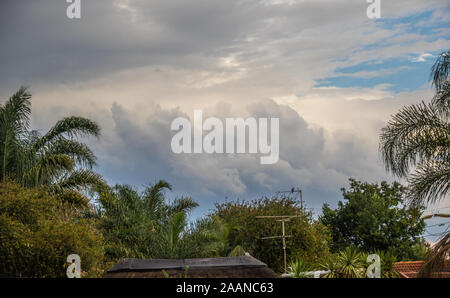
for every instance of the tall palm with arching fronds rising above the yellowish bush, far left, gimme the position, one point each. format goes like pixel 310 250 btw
pixel 55 161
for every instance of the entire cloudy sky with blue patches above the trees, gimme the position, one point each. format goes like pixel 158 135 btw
pixel 332 75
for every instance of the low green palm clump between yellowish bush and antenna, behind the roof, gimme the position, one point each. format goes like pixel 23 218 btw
pixel 144 225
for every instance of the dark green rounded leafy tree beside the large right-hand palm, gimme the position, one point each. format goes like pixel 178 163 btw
pixel 372 218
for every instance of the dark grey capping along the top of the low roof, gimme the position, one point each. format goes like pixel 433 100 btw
pixel 207 263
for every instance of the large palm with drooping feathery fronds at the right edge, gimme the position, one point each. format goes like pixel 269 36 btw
pixel 416 145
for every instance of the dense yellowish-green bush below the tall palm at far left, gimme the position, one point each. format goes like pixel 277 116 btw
pixel 36 238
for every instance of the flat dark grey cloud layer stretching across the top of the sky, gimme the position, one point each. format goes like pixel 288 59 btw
pixel 40 44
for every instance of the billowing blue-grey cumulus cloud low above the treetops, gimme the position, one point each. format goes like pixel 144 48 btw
pixel 138 152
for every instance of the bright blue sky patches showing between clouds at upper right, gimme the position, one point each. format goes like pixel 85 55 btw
pixel 399 74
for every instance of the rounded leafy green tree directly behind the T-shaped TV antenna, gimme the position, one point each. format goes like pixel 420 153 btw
pixel 309 240
